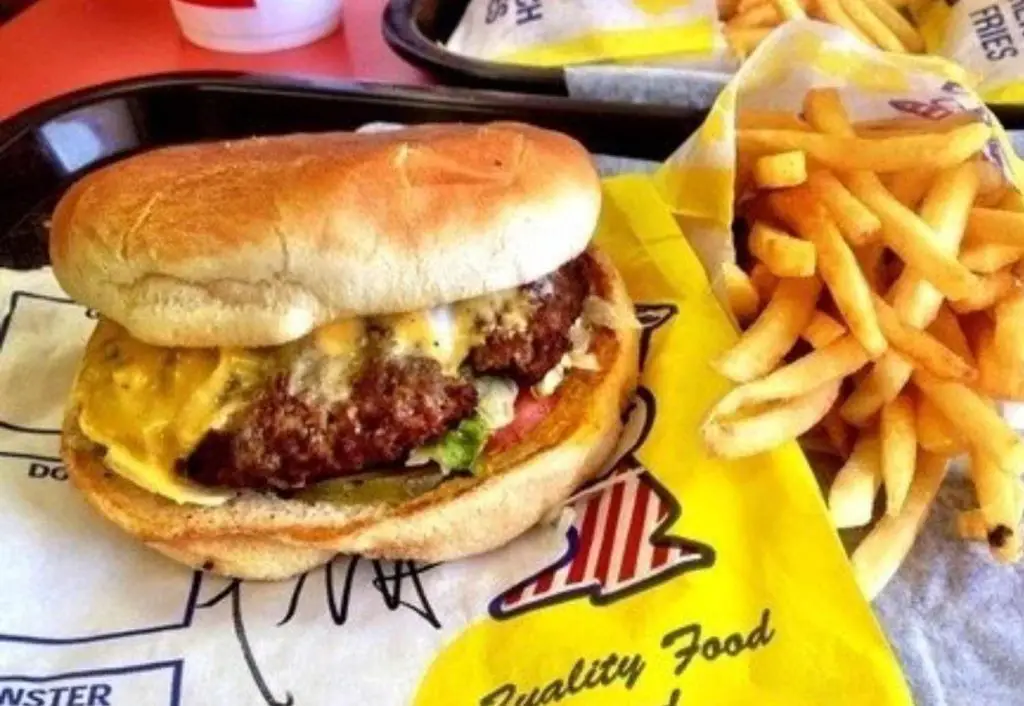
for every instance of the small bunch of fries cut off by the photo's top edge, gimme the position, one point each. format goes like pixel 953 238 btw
pixel 880 23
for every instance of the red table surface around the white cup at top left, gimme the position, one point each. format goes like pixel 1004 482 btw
pixel 58 47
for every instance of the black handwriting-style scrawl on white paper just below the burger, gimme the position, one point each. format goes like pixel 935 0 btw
pixel 390 579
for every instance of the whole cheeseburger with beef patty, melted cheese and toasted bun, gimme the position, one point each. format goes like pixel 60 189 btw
pixel 398 345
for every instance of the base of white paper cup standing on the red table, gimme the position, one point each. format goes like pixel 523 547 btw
pixel 257 26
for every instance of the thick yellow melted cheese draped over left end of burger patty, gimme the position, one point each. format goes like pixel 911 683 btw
pixel 151 406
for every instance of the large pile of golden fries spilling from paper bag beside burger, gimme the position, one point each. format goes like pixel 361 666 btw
pixel 883 314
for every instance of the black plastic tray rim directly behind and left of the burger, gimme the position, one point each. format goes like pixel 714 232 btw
pixel 47 148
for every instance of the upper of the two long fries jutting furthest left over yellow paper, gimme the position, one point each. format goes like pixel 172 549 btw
pixel 832 363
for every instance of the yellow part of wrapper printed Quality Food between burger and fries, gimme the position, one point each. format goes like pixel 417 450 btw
pixel 685 579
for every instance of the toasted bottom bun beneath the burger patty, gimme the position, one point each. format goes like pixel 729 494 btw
pixel 259 536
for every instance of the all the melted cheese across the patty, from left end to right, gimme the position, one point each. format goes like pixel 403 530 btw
pixel 151 406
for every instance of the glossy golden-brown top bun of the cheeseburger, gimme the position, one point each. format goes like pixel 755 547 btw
pixel 259 242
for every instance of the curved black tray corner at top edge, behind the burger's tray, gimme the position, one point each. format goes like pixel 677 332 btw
pixel 419 29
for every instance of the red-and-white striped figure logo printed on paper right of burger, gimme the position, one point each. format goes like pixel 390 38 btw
pixel 618 543
